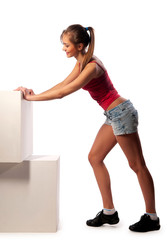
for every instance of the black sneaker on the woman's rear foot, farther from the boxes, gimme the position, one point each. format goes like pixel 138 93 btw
pixel 145 224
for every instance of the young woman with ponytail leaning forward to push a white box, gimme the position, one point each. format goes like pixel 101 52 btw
pixel 120 126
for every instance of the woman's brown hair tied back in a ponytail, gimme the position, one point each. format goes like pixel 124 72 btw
pixel 79 34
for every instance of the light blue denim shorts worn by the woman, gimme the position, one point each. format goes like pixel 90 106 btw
pixel 123 118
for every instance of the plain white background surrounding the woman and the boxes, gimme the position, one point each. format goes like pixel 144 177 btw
pixel 131 41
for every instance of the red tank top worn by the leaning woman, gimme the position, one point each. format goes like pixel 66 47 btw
pixel 102 90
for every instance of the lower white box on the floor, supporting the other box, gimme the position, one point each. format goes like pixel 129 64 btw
pixel 29 195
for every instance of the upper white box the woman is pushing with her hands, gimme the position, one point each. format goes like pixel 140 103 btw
pixel 16 127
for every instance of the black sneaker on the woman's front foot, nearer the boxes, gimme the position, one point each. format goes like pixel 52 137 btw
pixel 101 219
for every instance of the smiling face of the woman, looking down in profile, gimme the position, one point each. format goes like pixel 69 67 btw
pixel 69 47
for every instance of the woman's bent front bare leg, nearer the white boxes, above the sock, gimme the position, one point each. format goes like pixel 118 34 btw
pixel 104 142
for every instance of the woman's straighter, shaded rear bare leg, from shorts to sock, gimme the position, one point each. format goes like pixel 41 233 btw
pixel 131 146
